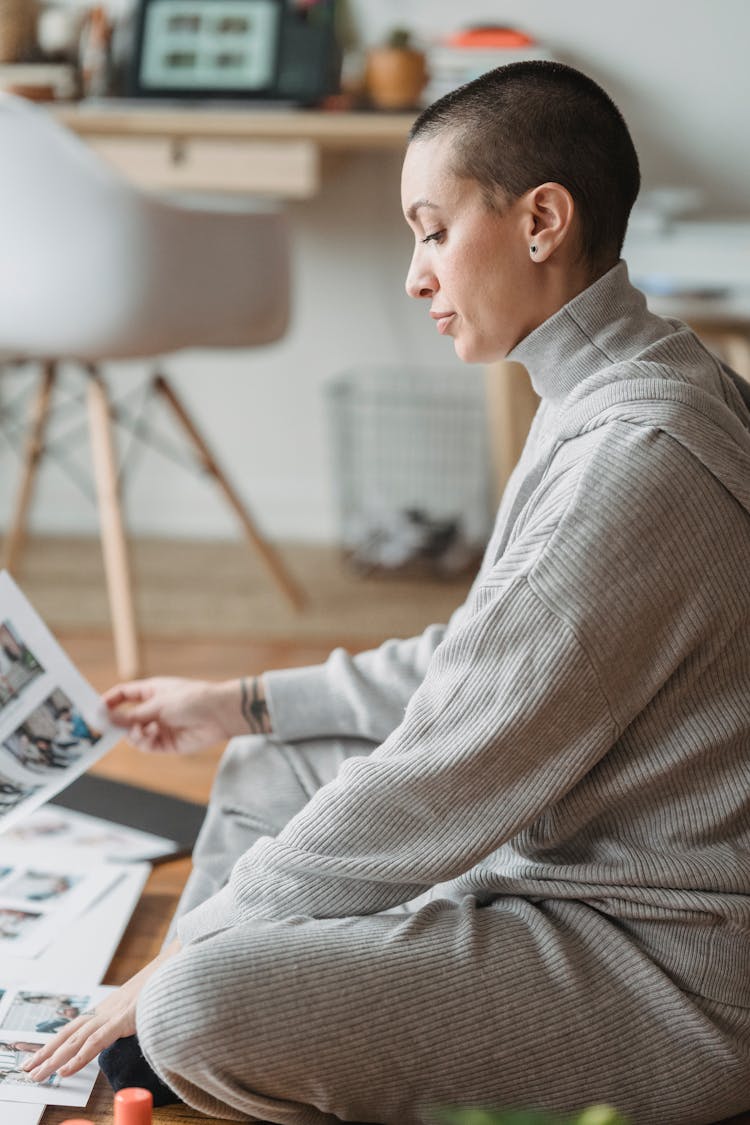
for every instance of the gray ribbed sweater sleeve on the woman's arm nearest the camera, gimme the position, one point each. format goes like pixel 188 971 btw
pixel 508 719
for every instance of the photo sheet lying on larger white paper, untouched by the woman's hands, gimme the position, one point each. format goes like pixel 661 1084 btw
pixel 42 892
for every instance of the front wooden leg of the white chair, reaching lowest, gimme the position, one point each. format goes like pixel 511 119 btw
pixel 114 544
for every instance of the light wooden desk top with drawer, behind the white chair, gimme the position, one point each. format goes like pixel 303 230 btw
pixel 270 152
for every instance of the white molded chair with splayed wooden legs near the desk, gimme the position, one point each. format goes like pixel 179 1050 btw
pixel 93 269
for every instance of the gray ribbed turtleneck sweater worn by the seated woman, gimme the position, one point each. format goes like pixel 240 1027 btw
pixel 582 727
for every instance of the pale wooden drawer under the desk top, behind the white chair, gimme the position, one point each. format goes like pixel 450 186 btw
pixel 283 169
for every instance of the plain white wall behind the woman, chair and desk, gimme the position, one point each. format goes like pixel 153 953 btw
pixel 679 69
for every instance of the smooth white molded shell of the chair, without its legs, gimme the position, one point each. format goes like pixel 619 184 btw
pixel 93 268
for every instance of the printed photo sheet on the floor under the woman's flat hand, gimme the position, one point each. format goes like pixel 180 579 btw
pixel 30 1018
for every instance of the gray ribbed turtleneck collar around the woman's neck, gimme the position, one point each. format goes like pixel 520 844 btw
pixel 604 325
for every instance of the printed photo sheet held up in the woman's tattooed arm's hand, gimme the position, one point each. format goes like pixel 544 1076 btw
pixel 52 723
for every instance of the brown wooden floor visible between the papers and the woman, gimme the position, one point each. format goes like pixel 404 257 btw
pixel 189 778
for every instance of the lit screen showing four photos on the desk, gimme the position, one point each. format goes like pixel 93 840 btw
pixel 210 44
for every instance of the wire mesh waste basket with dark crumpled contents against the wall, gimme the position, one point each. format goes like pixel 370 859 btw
pixel 411 467
